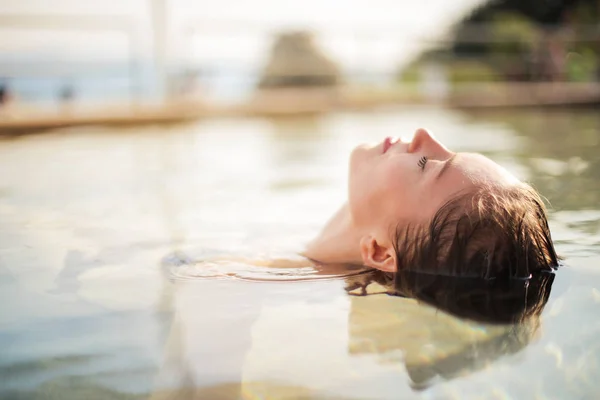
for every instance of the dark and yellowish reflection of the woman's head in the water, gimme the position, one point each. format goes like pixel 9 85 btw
pixel 436 345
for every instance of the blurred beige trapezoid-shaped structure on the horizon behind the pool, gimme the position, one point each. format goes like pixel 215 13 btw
pixel 296 61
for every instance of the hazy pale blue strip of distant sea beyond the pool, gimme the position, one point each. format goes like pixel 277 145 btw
pixel 121 82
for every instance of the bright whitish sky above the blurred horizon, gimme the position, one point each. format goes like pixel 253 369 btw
pixel 373 35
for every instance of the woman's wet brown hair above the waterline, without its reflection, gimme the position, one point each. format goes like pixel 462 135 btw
pixel 491 232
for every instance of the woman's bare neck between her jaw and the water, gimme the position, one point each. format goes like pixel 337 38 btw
pixel 338 241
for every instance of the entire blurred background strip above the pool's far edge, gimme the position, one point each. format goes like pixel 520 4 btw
pixel 139 60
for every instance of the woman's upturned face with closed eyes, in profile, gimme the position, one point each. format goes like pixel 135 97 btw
pixel 397 180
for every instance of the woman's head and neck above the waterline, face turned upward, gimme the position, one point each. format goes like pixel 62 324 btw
pixel 416 205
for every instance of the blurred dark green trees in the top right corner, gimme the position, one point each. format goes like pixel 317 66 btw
pixel 527 39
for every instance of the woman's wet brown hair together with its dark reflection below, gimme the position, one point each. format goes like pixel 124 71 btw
pixel 486 255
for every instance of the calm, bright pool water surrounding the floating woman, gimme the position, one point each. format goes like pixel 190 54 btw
pixel 89 218
